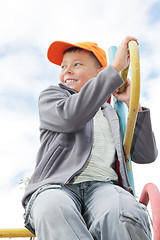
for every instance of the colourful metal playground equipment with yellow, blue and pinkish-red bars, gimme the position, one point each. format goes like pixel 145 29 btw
pixel 150 191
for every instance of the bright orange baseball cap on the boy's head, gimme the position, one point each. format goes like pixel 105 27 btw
pixel 57 48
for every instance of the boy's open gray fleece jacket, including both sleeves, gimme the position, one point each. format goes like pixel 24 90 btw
pixel 66 124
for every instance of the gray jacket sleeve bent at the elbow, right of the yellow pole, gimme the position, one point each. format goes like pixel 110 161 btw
pixel 144 148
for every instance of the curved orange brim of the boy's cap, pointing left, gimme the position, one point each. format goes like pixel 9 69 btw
pixel 56 50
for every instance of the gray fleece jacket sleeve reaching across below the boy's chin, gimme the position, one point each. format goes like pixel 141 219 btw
pixel 61 112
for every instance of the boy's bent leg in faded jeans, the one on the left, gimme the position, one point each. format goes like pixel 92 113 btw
pixel 55 215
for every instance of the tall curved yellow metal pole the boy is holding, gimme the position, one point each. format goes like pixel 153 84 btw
pixel 134 99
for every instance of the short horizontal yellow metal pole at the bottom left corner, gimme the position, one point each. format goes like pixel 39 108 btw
pixel 20 232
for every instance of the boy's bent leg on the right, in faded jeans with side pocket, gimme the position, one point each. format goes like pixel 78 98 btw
pixel 113 213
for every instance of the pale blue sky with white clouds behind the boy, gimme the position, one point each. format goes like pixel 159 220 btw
pixel 27 29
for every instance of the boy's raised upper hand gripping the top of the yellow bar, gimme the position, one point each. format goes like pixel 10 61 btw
pixel 122 57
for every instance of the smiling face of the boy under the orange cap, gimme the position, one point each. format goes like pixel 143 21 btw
pixel 77 68
